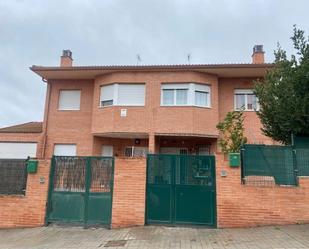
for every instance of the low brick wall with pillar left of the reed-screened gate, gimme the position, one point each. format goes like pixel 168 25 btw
pixel 28 210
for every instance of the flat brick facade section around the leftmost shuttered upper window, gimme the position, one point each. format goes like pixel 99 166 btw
pixel 70 126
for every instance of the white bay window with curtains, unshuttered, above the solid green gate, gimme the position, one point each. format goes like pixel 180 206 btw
pixel 185 94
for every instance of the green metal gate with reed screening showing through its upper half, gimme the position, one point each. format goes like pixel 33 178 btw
pixel 80 190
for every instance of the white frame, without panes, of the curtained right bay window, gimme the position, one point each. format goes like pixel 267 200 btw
pixel 192 88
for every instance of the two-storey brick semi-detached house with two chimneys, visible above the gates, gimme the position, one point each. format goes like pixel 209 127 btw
pixel 133 110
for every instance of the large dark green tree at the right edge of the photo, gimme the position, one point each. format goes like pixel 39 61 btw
pixel 284 92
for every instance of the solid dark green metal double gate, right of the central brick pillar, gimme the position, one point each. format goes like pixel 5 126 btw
pixel 181 189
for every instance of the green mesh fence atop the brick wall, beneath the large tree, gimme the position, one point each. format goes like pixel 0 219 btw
pixel 274 164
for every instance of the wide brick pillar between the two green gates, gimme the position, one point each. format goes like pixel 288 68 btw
pixel 129 192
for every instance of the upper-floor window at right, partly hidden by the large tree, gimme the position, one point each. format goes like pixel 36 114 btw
pixel 244 99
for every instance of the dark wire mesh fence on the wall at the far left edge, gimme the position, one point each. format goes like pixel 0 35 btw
pixel 13 176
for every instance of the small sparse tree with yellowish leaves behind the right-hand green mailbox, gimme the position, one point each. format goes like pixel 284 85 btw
pixel 232 132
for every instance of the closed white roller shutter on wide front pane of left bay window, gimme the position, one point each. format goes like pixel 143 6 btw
pixel 131 94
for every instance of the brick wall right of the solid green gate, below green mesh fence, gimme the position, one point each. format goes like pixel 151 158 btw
pixel 243 206
